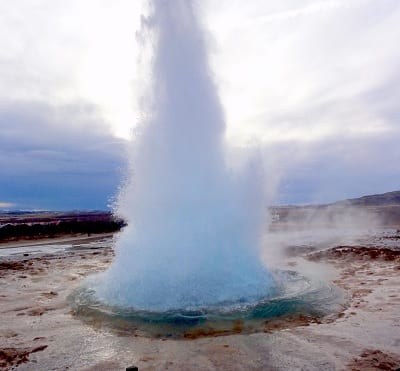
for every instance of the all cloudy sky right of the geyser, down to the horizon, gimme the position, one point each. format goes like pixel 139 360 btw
pixel 318 84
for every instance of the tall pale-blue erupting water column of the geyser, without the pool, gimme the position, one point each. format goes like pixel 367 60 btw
pixel 194 225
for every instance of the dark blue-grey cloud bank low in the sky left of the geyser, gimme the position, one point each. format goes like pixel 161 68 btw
pixel 57 157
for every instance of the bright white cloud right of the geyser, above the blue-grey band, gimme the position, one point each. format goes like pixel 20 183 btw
pixel 308 71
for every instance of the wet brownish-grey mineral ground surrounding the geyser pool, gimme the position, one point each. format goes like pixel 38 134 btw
pixel 40 331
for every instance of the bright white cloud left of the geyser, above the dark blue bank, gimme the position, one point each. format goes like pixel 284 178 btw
pixel 59 52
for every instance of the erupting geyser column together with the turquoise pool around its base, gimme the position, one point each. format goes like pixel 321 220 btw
pixel 190 255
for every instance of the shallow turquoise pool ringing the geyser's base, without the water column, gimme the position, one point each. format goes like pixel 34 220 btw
pixel 297 300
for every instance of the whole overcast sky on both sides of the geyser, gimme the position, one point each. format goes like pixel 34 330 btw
pixel 315 83
